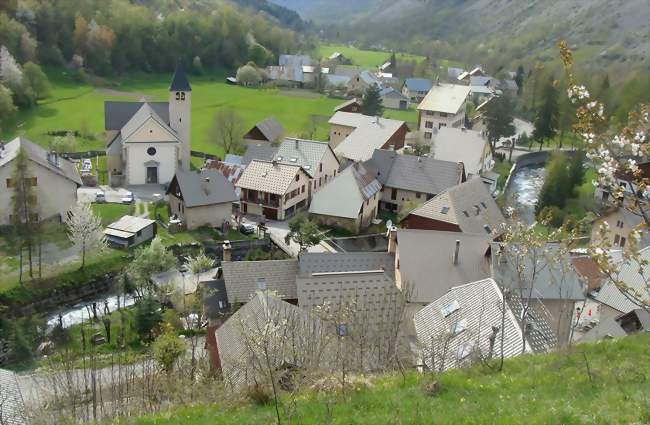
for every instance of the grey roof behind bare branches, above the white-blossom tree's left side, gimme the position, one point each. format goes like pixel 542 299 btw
pixel 553 280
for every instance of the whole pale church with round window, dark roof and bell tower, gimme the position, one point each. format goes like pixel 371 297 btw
pixel 147 142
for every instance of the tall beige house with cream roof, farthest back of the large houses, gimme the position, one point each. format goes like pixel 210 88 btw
pixel 443 106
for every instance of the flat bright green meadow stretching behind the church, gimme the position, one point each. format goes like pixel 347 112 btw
pixel 75 105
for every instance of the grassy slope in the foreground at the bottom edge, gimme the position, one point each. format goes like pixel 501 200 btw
pixel 605 383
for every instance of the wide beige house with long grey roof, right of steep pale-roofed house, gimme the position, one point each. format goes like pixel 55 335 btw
pixel 408 180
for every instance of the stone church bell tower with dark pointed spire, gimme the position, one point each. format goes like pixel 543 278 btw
pixel 180 95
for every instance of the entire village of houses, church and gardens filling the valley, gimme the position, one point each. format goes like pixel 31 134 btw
pixel 390 235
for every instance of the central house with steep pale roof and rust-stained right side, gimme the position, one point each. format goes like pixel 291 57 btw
pixel 350 201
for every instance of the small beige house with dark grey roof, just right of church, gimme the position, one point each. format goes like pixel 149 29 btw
pixel 202 198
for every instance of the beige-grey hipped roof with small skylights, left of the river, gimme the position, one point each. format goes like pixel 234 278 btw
pixel 468 205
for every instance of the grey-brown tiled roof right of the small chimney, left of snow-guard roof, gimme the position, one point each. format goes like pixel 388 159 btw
pixel 242 278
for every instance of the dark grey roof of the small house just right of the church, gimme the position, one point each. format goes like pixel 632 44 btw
pixel 204 188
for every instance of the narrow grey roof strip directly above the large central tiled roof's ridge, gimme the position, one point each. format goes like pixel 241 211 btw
pixel 346 262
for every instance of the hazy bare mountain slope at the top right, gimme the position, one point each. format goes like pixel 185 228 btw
pixel 607 30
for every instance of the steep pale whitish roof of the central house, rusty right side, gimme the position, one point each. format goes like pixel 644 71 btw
pixel 345 194
